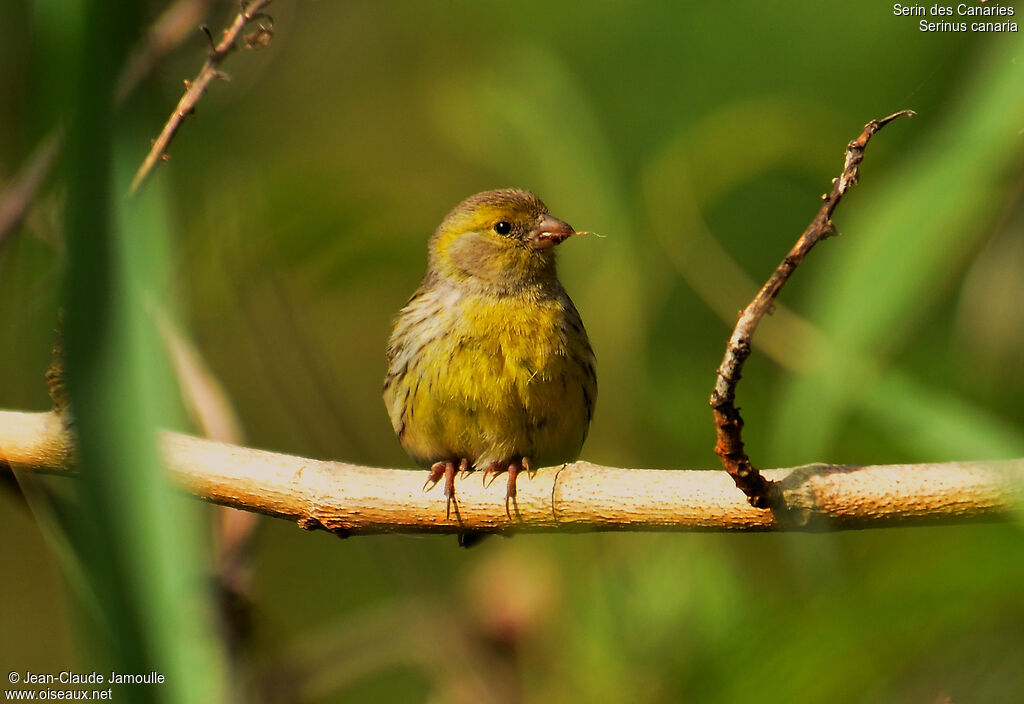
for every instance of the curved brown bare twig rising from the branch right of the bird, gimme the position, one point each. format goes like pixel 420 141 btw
pixel 761 493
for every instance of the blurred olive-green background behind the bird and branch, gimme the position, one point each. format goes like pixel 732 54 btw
pixel 290 226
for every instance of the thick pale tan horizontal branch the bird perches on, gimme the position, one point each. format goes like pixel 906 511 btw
pixel 351 500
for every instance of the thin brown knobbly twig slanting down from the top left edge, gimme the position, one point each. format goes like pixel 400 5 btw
pixel 196 87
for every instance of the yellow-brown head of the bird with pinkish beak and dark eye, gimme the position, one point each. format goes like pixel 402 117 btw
pixel 499 239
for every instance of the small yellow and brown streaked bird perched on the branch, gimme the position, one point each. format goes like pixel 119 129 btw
pixel 490 367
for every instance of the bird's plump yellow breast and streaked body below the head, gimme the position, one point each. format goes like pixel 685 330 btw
pixel 495 376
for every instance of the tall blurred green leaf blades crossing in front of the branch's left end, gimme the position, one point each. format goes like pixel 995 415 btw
pixel 129 542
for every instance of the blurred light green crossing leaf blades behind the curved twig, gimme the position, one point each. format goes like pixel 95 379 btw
pixel 904 255
